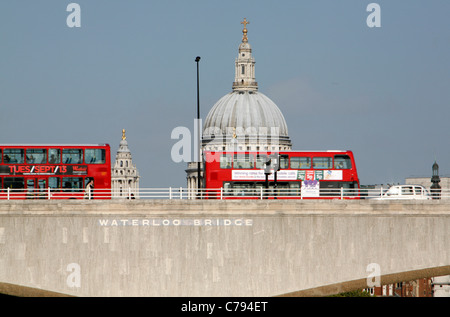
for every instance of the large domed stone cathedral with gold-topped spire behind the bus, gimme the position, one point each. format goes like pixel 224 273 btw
pixel 244 119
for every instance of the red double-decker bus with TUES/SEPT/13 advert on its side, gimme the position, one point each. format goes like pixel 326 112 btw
pixel 54 171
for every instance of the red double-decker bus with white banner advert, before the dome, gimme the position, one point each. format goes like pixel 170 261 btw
pixel 312 174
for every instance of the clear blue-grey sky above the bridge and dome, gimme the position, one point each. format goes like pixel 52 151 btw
pixel 381 92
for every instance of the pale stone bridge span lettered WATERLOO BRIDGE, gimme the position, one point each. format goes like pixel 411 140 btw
pixel 218 248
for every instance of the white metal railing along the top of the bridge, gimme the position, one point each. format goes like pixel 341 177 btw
pixel 184 193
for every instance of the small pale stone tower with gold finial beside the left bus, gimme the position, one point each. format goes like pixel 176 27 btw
pixel 124 174
